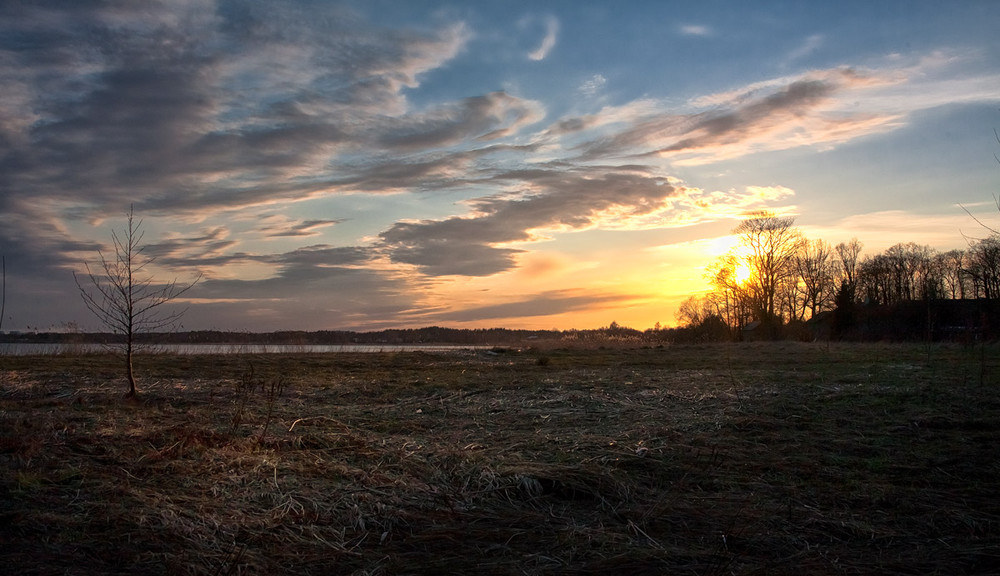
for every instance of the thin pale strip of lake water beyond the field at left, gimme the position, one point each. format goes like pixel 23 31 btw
pixel 24 349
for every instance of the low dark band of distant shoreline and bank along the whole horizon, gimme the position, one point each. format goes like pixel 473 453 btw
pixel 910 320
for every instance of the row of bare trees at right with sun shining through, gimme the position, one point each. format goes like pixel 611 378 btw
pixel 776 280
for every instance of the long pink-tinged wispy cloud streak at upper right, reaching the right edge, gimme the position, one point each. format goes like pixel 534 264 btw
pixel 821 108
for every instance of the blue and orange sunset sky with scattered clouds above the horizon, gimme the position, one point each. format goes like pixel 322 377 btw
pixel 523 164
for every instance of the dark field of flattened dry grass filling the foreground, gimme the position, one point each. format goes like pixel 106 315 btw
pixel 719 459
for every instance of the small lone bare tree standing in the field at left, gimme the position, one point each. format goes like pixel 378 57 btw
pixel 124 297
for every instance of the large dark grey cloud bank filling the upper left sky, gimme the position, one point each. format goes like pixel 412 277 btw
pixel 191 107
